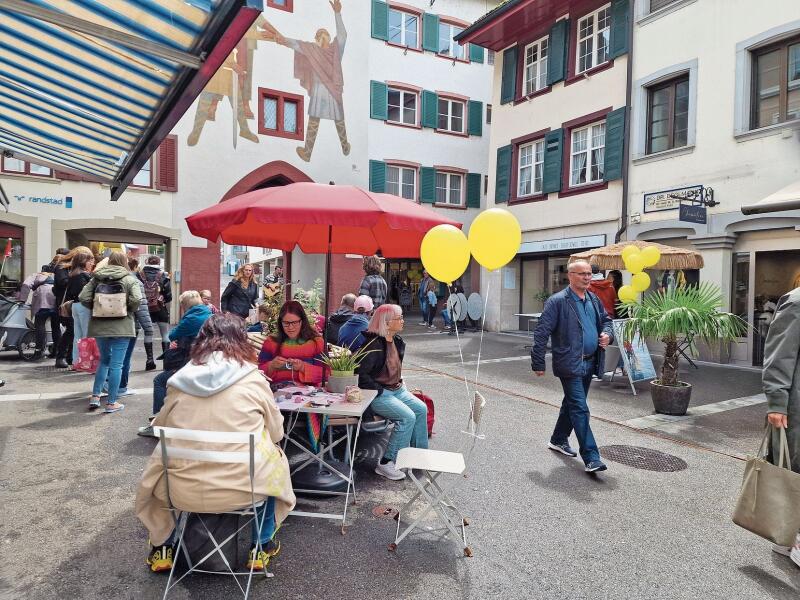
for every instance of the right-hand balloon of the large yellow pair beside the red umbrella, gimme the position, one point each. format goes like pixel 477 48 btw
pixel 494 238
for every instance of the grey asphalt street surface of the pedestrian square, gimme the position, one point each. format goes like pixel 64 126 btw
pixel 539 526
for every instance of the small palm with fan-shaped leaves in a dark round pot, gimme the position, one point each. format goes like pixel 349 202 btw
pixel 671 316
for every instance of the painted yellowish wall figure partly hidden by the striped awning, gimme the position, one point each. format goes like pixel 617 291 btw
pixel 233 80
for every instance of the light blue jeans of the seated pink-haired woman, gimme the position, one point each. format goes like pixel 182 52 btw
pixel 410 417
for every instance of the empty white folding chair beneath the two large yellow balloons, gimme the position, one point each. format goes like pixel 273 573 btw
pixel 432 464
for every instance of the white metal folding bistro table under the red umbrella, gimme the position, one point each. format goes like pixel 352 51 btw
pixel 338 409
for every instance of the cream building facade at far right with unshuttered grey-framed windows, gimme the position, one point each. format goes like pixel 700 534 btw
pixel 719 107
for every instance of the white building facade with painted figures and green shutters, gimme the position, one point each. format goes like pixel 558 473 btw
pixel 381 98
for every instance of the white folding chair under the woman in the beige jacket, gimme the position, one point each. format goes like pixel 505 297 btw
pixel 169 452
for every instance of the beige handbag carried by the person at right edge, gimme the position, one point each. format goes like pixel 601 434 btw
pixel 770 495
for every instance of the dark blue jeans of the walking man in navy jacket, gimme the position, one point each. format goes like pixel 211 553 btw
pixel 574 414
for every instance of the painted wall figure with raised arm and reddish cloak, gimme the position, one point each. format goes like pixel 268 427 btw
pixel 318 67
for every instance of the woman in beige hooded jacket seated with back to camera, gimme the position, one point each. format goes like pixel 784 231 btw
pixel 220 389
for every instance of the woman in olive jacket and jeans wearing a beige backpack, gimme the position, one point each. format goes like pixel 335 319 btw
pixel 113 295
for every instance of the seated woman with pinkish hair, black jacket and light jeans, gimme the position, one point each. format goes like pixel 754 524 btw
pixel 381 370
